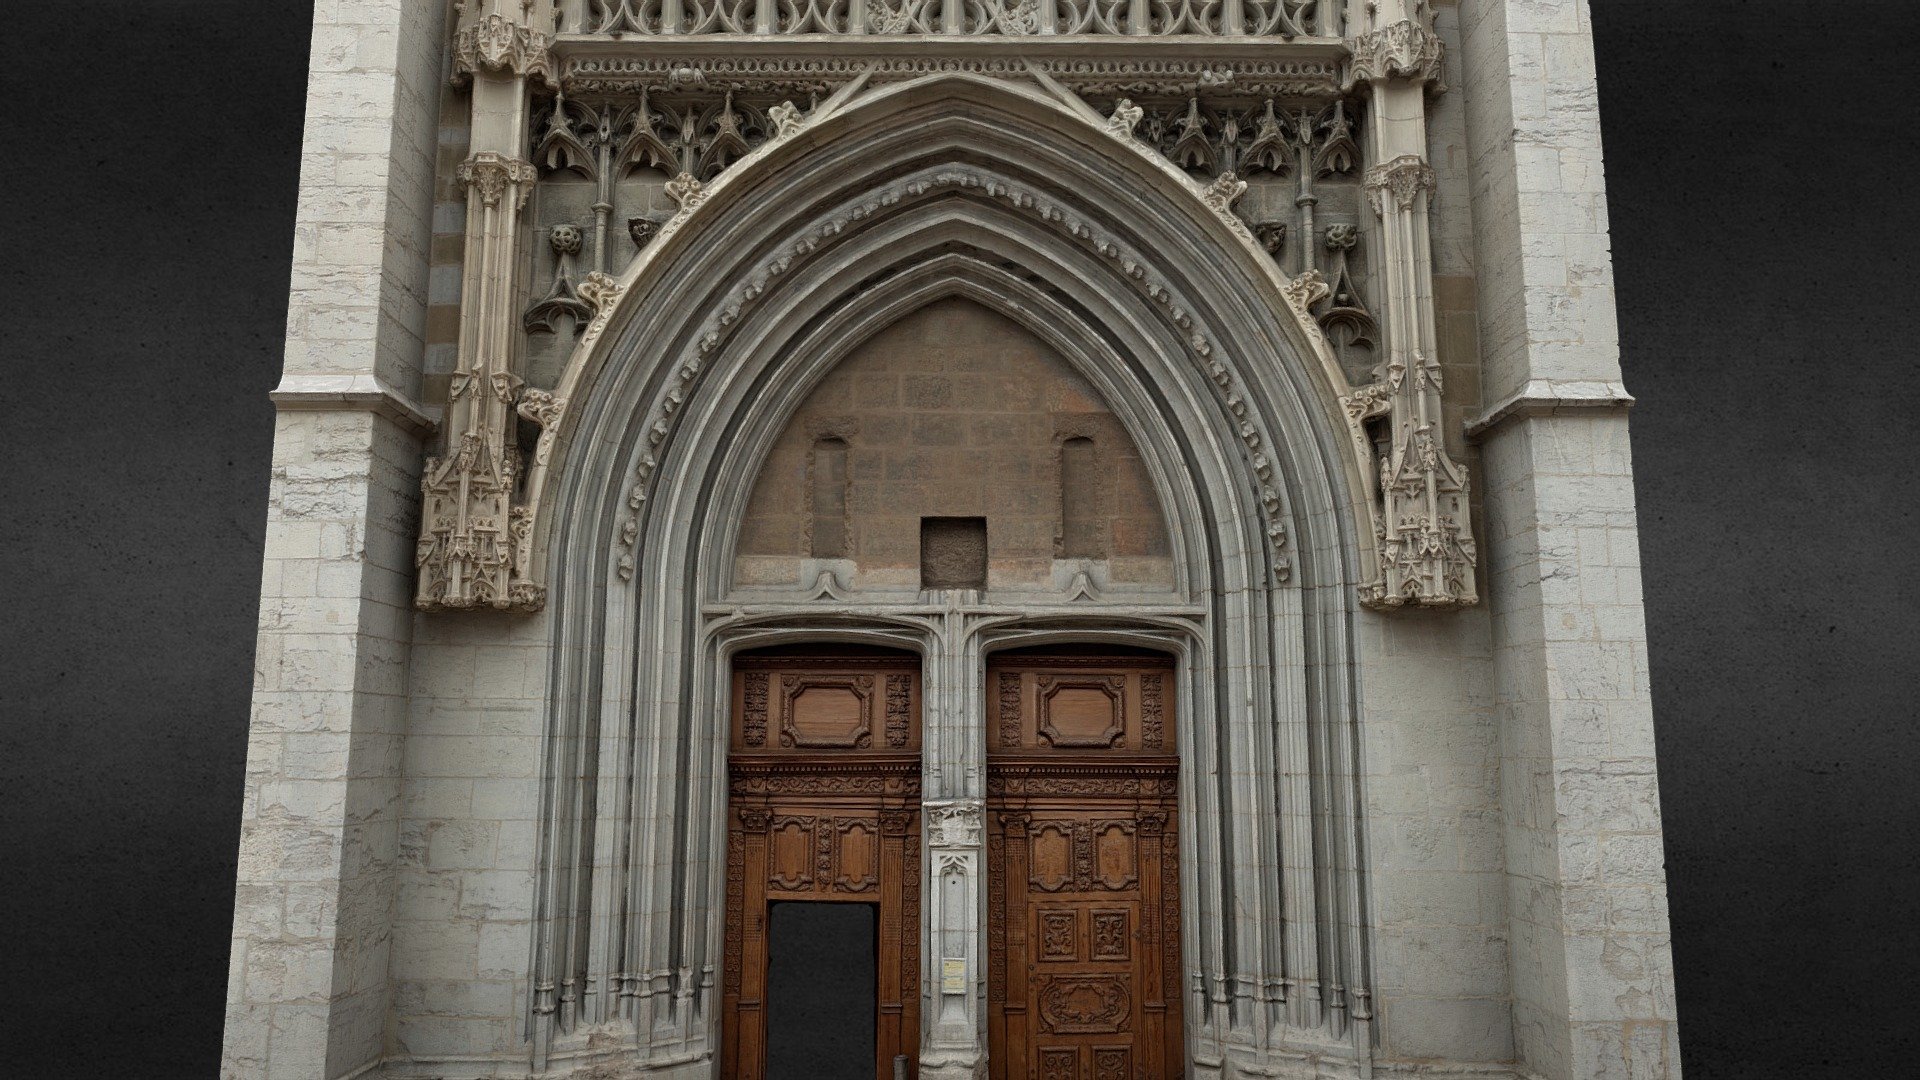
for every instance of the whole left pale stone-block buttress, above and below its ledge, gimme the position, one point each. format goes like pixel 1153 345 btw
pixel 308 989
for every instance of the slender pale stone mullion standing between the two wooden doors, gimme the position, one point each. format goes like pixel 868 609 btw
pixel 953 781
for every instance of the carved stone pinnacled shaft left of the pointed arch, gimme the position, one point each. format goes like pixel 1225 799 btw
pixel 475 541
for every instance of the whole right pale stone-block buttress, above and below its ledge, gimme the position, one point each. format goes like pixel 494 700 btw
pixel 1591 964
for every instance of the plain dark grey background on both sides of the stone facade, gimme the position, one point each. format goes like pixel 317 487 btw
pixel 1764 207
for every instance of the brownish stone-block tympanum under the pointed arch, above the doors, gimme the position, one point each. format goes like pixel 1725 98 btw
pixel 955 412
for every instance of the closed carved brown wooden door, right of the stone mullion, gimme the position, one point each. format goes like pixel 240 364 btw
pixel 1082 870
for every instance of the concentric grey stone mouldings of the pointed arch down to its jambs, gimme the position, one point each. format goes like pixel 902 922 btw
pixel 976 189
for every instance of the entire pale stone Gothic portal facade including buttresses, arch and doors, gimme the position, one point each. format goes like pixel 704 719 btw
pixel 1128 497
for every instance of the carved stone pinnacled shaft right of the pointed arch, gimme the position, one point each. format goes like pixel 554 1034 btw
pixel 1424 528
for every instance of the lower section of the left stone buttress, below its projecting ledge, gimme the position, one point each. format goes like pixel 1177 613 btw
pixel 316 895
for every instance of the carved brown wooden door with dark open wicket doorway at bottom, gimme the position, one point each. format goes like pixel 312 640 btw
pixel 823 806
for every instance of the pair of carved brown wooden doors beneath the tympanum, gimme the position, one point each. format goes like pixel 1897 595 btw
pixel 1084 948
